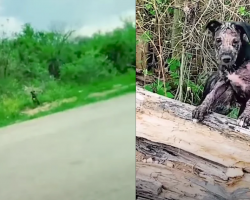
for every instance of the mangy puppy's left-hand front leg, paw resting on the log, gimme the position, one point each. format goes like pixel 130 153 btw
pixel 201 110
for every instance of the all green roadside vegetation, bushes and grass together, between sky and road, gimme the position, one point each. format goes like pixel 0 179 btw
pixel 84 66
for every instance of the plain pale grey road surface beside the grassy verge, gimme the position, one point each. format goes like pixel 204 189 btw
pixel 85 153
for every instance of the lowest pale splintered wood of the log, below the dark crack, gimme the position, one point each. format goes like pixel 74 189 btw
pixel 180 183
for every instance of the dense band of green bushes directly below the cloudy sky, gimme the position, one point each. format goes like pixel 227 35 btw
pixel 27 56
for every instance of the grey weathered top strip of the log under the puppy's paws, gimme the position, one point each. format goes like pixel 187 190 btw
pixel 163 105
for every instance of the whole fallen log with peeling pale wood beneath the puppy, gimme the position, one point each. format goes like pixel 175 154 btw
pixel 187 160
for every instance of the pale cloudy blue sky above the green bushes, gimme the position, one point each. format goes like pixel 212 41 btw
pixel 85 16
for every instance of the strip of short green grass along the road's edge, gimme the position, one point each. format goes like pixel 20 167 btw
pixel 82 97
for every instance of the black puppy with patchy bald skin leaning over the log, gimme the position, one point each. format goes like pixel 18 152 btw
pixel 232 81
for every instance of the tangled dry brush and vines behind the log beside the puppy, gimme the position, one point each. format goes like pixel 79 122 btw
pixel 175 30
